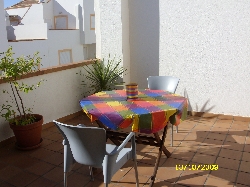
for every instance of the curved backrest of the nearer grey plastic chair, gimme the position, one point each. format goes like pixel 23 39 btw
pixel 88 144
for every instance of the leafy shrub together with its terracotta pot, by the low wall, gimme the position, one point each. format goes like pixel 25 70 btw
pixel 27 127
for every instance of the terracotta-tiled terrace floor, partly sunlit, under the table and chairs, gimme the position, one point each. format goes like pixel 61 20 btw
pixel 201 140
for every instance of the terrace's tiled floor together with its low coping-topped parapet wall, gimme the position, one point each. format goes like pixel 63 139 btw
pixel 207 139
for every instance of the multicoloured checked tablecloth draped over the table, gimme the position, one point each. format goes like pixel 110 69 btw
pixel 147 114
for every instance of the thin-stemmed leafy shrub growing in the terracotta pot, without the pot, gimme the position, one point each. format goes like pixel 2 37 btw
pixel 12 70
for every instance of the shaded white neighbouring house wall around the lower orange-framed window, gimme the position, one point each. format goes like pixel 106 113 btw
pixel 48 49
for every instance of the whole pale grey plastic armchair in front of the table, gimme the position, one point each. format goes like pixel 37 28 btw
pixel 87 145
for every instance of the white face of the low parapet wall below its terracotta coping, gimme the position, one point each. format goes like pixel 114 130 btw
pixel 57 97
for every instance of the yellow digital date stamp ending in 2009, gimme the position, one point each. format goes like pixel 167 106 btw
pixel 197 167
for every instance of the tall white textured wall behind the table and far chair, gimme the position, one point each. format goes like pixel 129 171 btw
pixel 204 43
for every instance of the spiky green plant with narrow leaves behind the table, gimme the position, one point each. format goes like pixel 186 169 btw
pixel 101 76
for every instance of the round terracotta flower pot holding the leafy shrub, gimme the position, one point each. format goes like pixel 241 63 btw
pixel 29 136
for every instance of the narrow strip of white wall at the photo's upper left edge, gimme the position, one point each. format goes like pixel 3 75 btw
pixel 3 35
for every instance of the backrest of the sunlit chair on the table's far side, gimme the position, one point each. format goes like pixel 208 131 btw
pixel 167 83
